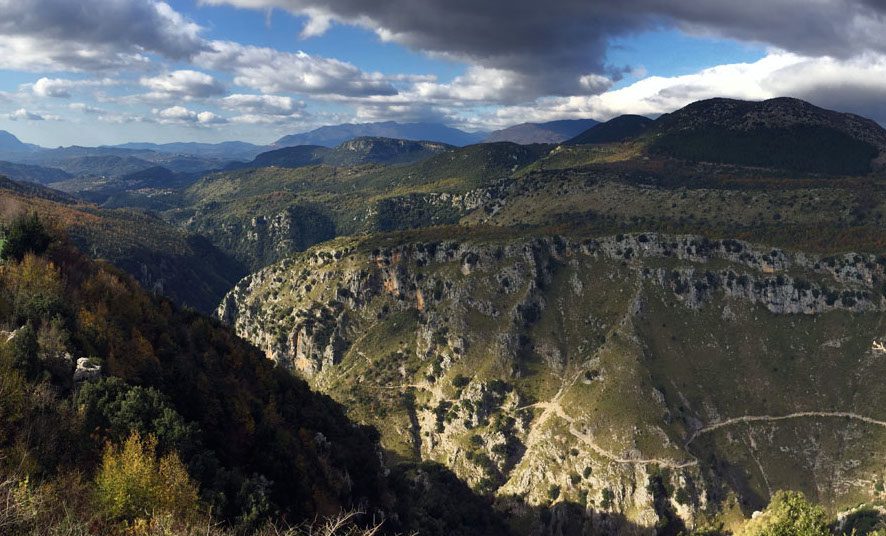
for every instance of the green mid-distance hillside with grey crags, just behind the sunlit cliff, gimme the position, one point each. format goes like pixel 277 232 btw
pixel 261 215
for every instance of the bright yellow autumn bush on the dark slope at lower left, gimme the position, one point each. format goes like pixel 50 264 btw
pixel 133 483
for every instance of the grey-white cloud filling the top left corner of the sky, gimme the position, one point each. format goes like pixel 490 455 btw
pixel 62 35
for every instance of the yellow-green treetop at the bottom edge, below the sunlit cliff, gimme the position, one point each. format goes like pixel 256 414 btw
pixel 788 514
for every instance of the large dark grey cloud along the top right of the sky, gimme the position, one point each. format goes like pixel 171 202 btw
pixel 553 46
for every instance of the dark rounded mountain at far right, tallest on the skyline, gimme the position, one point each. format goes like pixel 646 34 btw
pixel 782 133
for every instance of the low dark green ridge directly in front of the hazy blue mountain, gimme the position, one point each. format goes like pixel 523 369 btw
pixel 363 150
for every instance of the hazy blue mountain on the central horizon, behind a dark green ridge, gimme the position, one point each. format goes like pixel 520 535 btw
pixel 332 136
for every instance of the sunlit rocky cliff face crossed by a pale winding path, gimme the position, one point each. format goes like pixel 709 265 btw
pixel 659 377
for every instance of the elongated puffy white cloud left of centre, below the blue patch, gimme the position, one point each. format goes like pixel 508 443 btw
pixel 272 71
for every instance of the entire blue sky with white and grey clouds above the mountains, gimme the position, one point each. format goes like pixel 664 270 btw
pixel 92 72
